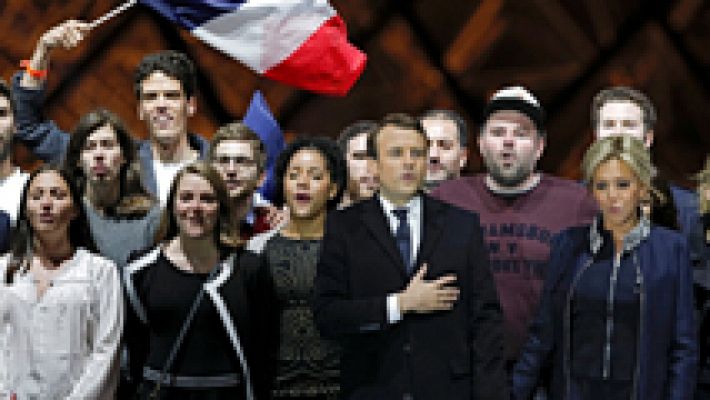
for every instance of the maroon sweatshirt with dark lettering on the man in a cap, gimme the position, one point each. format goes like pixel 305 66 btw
pixel 518 230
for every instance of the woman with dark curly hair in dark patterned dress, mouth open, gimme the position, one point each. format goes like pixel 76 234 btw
pixel 310 178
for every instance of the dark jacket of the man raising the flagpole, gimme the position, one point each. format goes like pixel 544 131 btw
pixel 49 143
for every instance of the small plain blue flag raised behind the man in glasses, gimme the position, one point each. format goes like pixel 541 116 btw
pixel 260 119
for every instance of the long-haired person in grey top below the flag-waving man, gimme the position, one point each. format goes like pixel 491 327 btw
pixel 101 161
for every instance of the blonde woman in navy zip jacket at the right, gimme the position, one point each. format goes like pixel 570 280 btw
pixel 616 318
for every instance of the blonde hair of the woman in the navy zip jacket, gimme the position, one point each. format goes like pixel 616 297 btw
pixel 627 149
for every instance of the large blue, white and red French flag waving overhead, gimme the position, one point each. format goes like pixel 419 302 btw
pixel 302 43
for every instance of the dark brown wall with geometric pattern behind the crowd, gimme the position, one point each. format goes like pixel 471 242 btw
pixel 422 54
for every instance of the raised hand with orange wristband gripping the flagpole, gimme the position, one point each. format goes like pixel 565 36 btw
pixel 68 35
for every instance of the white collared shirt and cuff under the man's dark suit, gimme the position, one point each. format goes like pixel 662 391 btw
pixel 414 217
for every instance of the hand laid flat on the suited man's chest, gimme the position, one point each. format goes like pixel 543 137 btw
pixel 422 296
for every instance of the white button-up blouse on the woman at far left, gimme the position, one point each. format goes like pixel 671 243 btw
pixel 64 344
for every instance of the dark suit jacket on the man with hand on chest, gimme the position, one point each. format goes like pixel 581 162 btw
pixel 456 354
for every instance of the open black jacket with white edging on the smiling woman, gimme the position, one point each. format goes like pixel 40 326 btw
pixel 237 293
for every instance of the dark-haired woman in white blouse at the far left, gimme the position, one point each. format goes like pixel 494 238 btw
pixel 61 307
